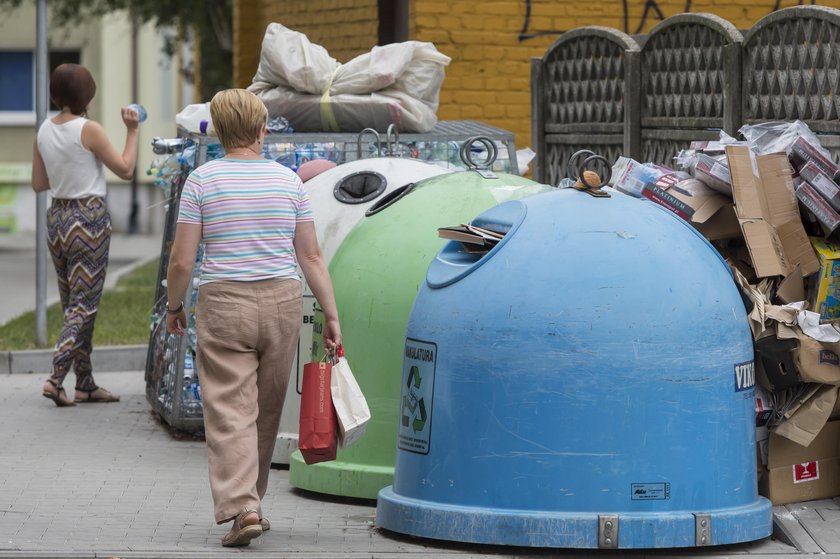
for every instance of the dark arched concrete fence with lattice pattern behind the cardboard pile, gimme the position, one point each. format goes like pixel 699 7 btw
pixel 692 76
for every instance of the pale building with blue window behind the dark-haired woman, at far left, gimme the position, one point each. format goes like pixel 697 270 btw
pixel 105 47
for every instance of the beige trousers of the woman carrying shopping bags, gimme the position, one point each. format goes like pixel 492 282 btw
pixel 247 337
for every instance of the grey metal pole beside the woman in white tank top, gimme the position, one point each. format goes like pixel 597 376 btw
pixel 41 69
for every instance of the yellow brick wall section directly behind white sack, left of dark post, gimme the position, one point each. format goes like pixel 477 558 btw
pixel 346 28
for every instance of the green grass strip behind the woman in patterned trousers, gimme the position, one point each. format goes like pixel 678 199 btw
pixel 123 317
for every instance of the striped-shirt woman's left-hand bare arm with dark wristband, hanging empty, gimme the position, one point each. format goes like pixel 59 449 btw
pixel 181 262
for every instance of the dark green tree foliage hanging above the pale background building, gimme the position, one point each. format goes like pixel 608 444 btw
pixel 209 20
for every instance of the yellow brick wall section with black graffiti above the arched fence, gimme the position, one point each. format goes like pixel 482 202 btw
pixel 491 44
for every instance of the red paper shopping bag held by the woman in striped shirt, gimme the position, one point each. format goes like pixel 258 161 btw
pixel 317 438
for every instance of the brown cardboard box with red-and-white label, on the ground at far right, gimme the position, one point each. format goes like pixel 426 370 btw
pixel 796 473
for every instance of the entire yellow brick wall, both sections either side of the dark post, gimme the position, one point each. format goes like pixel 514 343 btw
pixel 491 42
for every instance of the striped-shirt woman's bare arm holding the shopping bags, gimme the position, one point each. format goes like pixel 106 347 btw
pixel 318 278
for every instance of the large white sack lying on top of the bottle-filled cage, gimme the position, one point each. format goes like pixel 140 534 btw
pixel 397 83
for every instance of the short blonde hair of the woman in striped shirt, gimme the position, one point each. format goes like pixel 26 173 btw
pixel 238 117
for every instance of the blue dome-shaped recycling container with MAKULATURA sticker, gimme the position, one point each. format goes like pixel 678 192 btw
pixel 587 383
